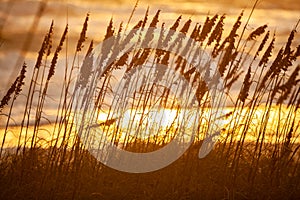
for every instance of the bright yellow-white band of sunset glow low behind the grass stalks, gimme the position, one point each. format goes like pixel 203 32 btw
pixel 161 122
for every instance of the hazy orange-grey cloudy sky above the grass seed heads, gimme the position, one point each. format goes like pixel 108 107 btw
pixel 17 26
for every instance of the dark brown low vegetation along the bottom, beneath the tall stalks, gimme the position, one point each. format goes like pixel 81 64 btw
pixel 33 176
